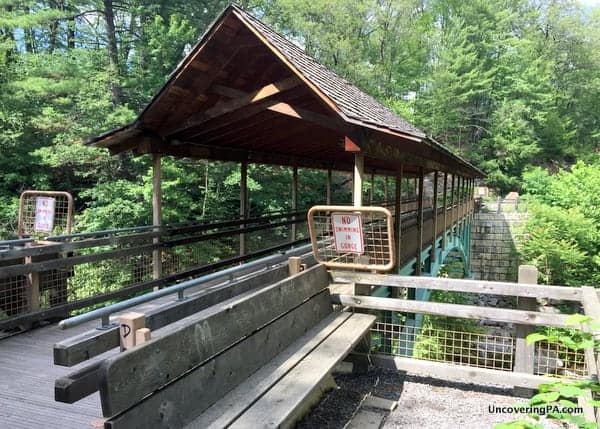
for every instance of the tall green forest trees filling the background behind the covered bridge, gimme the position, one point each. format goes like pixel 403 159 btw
pixel 509 84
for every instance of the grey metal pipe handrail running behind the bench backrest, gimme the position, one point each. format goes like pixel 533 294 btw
pixel 105 312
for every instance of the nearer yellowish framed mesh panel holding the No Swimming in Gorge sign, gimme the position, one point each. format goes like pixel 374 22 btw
pixel 352 237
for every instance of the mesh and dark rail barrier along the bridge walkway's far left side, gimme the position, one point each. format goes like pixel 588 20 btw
pixel 65 270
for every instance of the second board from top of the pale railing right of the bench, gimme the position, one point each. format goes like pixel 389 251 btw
pixel 452 310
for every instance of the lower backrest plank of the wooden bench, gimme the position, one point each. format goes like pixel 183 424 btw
pixel 185 398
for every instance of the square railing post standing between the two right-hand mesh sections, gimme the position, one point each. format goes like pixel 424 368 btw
pixel 524 353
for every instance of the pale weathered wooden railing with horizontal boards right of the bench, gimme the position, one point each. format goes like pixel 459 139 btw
pixel 525 318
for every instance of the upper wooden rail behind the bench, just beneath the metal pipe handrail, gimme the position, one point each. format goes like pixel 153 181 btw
pixel 89 344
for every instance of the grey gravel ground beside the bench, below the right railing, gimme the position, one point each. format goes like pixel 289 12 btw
pixel 423 403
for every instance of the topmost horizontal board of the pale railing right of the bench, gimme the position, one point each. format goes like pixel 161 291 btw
pixel 459 285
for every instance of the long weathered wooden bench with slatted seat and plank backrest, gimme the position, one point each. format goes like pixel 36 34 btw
pixel 256 360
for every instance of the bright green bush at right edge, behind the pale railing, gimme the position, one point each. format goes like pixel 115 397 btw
pixel 562 237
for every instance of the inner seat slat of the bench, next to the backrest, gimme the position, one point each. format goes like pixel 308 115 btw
pixel 227 409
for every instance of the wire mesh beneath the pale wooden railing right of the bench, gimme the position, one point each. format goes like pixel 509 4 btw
pixel 466 342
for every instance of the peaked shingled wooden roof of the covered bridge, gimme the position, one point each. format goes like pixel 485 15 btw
pixel 245 93
